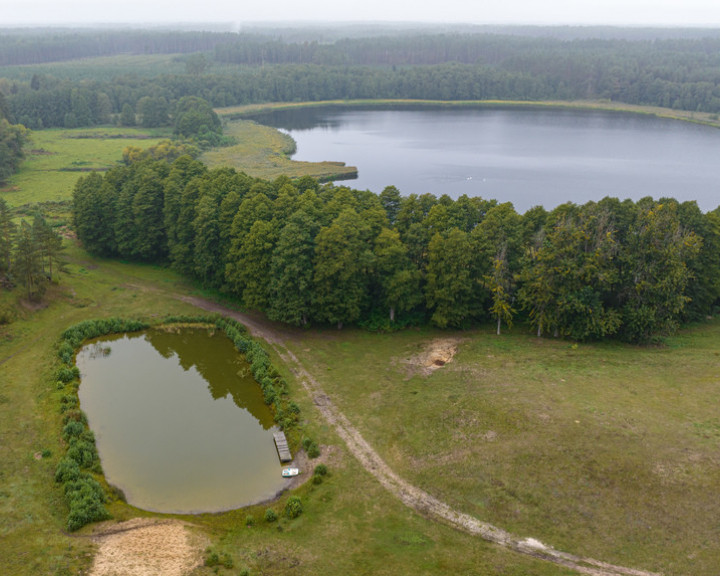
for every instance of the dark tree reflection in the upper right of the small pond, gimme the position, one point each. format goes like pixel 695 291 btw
pixel 218 363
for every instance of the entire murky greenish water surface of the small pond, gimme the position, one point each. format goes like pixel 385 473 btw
pixel 179 421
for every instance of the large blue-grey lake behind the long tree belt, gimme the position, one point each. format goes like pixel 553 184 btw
pixel 527 157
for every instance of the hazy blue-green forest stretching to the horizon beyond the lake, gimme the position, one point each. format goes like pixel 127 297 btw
pixel 228 69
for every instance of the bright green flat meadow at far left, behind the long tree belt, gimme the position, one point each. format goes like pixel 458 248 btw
pixel 56 158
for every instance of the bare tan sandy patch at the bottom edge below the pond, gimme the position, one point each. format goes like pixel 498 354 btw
pixel 146 547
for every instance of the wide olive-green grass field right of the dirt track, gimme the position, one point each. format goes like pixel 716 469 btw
pixel 606 450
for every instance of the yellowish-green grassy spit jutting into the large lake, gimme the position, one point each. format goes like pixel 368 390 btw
pixel 264 152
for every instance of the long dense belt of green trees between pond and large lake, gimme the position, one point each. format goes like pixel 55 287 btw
pixel 305 253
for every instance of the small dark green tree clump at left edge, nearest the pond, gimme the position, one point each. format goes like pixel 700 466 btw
pixel 30 254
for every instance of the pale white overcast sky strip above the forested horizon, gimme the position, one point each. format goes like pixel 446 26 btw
pixel 616 12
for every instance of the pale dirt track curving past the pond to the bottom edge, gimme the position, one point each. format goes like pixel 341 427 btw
pixel 410 495
